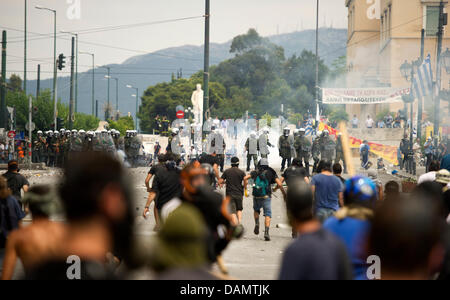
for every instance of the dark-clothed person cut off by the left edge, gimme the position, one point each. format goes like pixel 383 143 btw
pixel 11 216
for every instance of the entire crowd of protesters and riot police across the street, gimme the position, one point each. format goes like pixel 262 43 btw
pixel 198 205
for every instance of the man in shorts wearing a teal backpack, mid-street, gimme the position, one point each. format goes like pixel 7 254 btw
pixel 263 178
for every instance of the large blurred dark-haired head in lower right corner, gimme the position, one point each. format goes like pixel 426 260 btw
pixel 404 232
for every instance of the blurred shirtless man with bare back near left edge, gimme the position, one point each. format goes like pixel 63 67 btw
pixel 40 240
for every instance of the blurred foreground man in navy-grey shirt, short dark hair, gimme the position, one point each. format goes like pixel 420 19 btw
pixel 316 254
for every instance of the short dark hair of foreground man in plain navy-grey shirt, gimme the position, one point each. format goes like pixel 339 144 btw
pixel 299 202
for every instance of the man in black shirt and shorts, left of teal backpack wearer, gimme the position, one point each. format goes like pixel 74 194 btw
pixel 236 181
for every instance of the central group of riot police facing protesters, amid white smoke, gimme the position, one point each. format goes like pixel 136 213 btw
pixel 320 146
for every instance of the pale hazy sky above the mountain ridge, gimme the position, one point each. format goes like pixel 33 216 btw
pixel 228 19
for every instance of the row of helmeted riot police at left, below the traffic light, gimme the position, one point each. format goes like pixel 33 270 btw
pixel 55 148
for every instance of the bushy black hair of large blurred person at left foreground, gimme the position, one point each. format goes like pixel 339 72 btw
pixel 84 180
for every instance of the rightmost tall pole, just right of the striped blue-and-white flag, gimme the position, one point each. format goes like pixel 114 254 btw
pixel 437 104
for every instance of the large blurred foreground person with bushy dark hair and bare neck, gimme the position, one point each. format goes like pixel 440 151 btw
pixel 97 201
